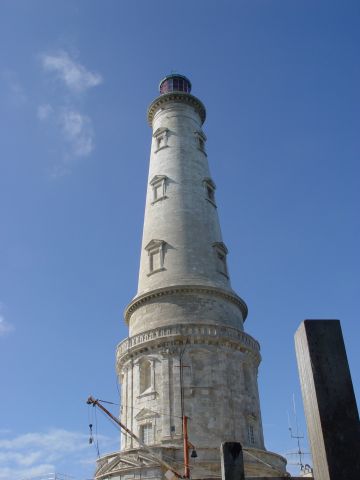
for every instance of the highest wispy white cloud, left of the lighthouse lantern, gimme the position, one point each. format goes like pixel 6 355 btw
pixel 75 76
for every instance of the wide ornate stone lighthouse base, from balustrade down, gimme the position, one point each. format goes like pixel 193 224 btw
pixel 216 389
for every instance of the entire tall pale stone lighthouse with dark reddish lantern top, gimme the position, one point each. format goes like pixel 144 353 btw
pixel 187 352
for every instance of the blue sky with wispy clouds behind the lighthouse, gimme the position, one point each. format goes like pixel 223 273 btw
pixel 280 81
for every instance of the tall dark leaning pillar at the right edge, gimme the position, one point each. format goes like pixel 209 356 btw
pixel 329 400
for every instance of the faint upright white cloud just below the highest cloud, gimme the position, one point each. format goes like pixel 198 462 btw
pixel 78 132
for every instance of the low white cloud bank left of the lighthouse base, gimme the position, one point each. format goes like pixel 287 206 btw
pixel 37 453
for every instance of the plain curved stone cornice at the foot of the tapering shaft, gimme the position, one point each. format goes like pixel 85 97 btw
pixel 184 289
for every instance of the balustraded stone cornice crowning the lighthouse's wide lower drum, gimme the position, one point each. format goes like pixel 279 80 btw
pixel 207 334
